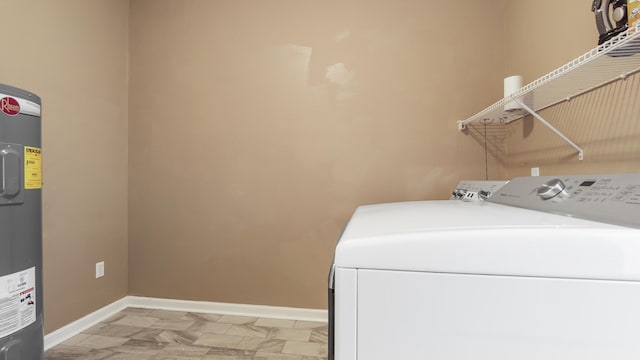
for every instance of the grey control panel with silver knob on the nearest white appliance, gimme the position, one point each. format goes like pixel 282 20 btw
pixel 613 199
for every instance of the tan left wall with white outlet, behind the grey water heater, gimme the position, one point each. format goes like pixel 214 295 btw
pixel 73 54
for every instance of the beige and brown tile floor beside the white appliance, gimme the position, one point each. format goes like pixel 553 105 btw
pixel 159 334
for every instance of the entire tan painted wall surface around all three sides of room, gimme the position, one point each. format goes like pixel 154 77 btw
pixel 251 145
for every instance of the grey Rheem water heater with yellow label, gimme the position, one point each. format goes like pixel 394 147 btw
pixel 21 331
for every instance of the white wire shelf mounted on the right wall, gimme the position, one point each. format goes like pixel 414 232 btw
pixel 614 60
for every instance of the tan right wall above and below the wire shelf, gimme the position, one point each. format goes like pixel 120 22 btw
pixel 540 37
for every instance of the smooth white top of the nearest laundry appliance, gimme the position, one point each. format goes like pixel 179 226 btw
pixel 486 238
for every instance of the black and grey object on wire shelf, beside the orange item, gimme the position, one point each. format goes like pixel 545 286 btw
pixel 611 18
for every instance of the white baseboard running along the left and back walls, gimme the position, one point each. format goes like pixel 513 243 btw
pixel 66 332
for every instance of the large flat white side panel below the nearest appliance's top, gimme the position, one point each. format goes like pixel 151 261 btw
pixel 417 315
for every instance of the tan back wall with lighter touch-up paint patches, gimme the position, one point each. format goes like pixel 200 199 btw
pixel 257 128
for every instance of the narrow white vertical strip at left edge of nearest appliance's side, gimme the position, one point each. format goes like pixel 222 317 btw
pixel 346 306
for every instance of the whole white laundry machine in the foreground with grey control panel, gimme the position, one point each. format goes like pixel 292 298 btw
pixel 546 268
